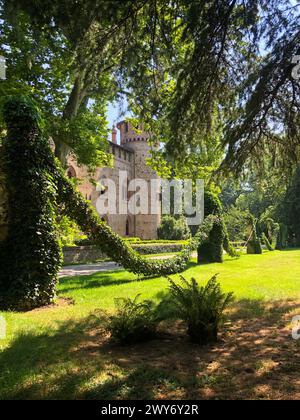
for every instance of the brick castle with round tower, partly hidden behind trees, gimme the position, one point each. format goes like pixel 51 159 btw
pixel 130 156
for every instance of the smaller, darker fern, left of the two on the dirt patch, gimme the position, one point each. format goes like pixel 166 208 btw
pixel 134 321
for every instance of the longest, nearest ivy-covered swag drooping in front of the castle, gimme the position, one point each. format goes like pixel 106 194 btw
pixel 112 244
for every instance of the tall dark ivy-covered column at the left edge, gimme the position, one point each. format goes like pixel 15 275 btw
pixel 30 257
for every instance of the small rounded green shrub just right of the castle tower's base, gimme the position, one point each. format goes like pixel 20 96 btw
pixel 173 229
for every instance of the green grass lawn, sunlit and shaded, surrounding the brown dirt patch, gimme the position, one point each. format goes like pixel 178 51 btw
pixel 43 357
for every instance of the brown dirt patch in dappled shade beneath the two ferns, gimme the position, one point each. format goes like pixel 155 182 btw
pixel 255 358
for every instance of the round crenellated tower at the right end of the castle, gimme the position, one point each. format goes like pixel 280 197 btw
pixel 145 224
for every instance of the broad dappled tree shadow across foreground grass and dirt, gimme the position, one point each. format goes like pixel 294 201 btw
pixel 255 358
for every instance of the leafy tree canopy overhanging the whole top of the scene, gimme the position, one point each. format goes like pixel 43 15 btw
pixel 211 78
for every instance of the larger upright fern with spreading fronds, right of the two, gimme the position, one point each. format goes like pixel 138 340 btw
pixel 202 308
